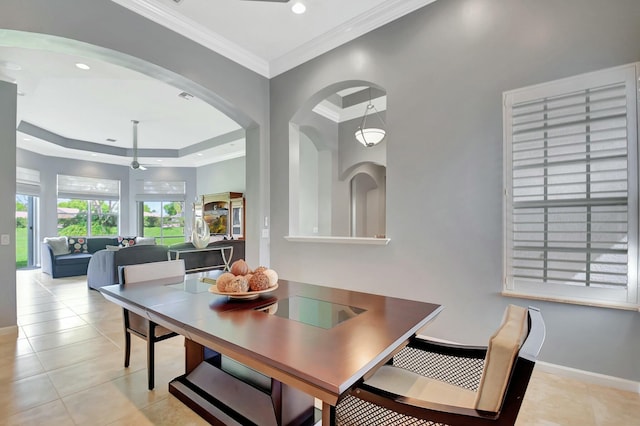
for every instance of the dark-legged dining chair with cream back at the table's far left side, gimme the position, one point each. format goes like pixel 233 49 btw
pixel 154 273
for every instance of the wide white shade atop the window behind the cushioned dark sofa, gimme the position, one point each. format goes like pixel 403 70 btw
pixel 86 188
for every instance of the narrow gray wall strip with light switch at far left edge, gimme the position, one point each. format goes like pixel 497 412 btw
pixel 8 107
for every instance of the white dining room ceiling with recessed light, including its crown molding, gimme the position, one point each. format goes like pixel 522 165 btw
pixel 266 36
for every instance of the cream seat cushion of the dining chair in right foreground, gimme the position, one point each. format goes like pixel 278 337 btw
pixel 407 383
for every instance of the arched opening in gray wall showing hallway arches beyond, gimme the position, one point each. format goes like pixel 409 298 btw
pixel 337 187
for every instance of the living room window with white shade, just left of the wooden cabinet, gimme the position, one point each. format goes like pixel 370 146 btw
pixel 161 210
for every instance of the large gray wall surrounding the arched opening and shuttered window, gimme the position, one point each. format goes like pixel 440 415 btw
pixel 444 68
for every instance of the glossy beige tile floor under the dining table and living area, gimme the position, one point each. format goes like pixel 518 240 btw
pixel 66 368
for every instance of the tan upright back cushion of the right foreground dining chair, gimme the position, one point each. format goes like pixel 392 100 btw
pixel 501 353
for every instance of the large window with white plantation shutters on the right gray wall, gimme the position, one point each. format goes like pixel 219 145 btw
pixel 571 210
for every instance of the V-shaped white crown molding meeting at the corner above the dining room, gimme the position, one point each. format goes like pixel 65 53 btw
pixel 354 28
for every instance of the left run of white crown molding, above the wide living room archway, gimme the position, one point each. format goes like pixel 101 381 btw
pixel 166 17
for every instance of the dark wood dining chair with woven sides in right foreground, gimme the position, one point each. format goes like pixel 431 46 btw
pixel 434 383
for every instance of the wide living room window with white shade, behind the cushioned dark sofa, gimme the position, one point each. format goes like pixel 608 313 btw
pixel 88 206
